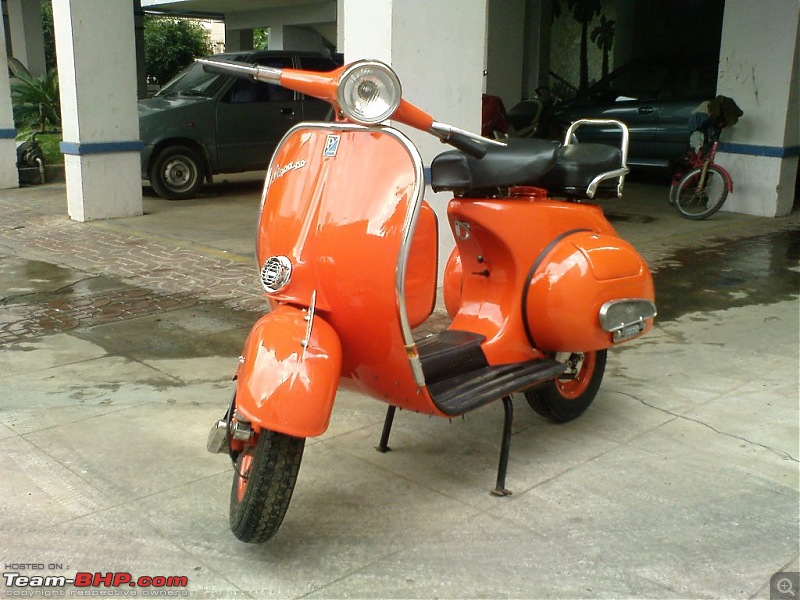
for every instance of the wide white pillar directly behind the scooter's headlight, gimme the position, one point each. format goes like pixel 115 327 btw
pixel 437 49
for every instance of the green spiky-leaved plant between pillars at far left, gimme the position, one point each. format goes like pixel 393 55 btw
pixel 35 101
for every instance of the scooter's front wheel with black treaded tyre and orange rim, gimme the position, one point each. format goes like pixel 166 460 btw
pixel 263 483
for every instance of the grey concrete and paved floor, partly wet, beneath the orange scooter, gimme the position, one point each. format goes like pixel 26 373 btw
pixel 681 480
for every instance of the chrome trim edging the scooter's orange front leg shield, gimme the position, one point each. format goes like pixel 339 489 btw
pixel 409 225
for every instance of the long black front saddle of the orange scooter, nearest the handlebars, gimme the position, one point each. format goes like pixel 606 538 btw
pixel 522 162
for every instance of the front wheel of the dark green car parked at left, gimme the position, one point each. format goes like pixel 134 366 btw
pixel 177 173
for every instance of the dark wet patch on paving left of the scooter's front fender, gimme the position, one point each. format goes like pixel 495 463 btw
pixel 40 298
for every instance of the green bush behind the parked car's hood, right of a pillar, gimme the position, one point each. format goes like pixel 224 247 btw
pixel 171 44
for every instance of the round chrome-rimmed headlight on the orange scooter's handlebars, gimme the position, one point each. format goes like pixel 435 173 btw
pixel 369 92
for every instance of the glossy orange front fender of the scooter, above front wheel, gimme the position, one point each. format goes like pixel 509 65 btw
pixel 288 373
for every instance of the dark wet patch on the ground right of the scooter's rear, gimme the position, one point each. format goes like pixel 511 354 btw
pixel 746 271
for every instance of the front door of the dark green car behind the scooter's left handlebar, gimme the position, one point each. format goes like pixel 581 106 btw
pixel 252 117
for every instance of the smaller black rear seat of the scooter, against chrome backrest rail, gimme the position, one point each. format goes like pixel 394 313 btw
pixel 576 166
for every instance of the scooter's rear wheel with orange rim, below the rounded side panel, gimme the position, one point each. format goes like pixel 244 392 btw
pixel 567 397
